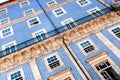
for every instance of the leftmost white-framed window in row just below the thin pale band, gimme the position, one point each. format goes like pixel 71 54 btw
pixel 6 32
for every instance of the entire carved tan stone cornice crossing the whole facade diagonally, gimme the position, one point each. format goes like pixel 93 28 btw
pixel 37 50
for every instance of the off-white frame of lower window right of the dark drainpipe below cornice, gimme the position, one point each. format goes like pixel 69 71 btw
pixel 92 43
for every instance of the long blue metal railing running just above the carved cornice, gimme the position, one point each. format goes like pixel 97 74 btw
pixel 53 33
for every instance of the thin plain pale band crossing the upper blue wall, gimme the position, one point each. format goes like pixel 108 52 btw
pixel 34 14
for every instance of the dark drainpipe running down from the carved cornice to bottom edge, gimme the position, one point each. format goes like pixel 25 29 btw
pixel 75 59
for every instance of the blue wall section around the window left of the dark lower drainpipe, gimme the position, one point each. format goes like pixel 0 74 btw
pixel 67 64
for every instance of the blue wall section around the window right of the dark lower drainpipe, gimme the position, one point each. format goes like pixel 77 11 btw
pixel 102 47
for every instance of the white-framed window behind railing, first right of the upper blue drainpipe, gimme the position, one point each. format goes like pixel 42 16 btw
pixel 68 23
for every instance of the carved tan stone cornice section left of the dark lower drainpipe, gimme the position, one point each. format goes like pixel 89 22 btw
pixel 26 54
